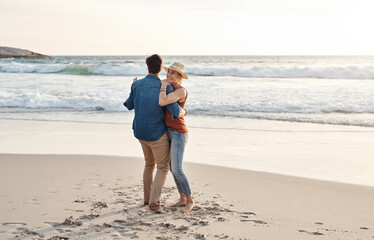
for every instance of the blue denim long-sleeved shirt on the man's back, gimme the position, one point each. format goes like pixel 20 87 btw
pixel 149 120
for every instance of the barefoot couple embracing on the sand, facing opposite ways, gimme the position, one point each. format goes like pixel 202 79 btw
pixel 161 130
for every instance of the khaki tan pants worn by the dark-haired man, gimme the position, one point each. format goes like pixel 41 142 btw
pixel 155 153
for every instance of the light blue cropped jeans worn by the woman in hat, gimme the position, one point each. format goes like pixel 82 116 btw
pixel 178 142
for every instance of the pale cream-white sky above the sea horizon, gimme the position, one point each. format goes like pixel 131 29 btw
pixel 193 27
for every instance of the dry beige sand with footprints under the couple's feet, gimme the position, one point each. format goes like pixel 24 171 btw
pixel 100 197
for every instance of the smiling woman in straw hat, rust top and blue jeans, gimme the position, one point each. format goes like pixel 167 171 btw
pixel 178 131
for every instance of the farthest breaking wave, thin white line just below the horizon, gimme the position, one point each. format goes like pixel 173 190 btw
pixel 328 72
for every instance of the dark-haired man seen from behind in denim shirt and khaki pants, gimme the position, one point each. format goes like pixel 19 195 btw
pixel 150 129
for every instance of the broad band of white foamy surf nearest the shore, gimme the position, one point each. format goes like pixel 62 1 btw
pixel 109 102
